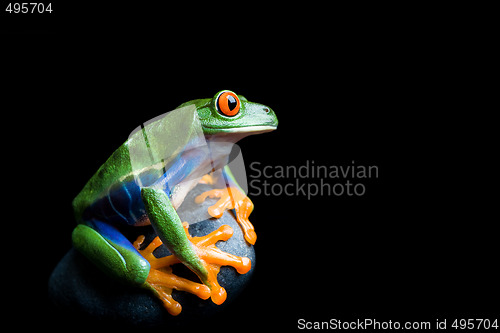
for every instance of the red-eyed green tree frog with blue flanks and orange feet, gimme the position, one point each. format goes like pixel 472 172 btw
pixel 101 216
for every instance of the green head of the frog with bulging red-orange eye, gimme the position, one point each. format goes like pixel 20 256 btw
pixel 229 114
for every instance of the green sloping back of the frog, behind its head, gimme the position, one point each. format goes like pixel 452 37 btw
pixel 115 178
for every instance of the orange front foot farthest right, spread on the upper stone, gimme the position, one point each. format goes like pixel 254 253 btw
pixel 232 198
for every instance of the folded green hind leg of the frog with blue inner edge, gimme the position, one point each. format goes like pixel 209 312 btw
pixel 109 250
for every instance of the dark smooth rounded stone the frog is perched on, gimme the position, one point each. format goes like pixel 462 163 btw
pixel 80 286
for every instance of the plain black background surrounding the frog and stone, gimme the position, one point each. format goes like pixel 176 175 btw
pixel 419 245
